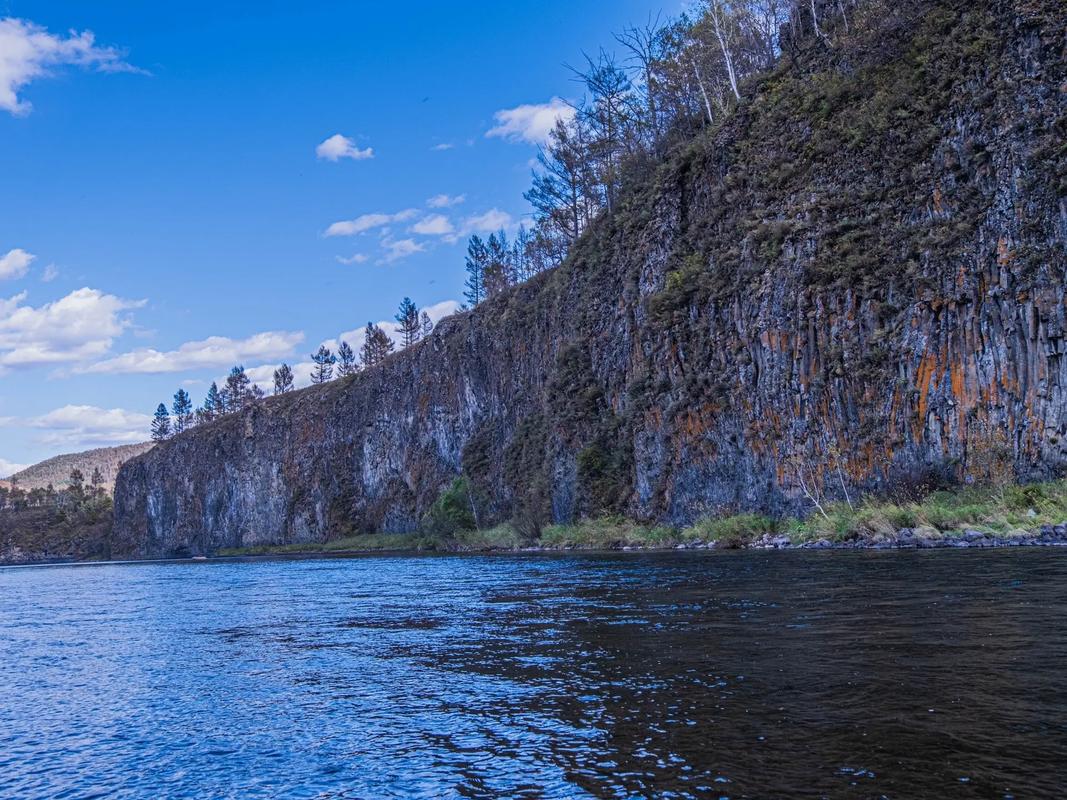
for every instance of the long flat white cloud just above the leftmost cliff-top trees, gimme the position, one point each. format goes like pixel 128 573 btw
pixel 216 351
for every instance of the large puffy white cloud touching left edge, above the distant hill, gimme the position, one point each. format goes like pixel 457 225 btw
pixel 79 327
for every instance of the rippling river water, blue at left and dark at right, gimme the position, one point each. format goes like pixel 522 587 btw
pixel 765 676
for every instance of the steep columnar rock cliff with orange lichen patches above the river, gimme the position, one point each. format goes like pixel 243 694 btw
pixel 858 281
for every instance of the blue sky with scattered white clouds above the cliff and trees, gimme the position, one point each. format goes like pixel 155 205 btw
pixel 188 186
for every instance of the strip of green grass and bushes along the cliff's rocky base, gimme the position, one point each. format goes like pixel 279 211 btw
pixel 1011 517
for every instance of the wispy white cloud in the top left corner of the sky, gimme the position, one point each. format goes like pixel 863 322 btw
pixel 28 52
